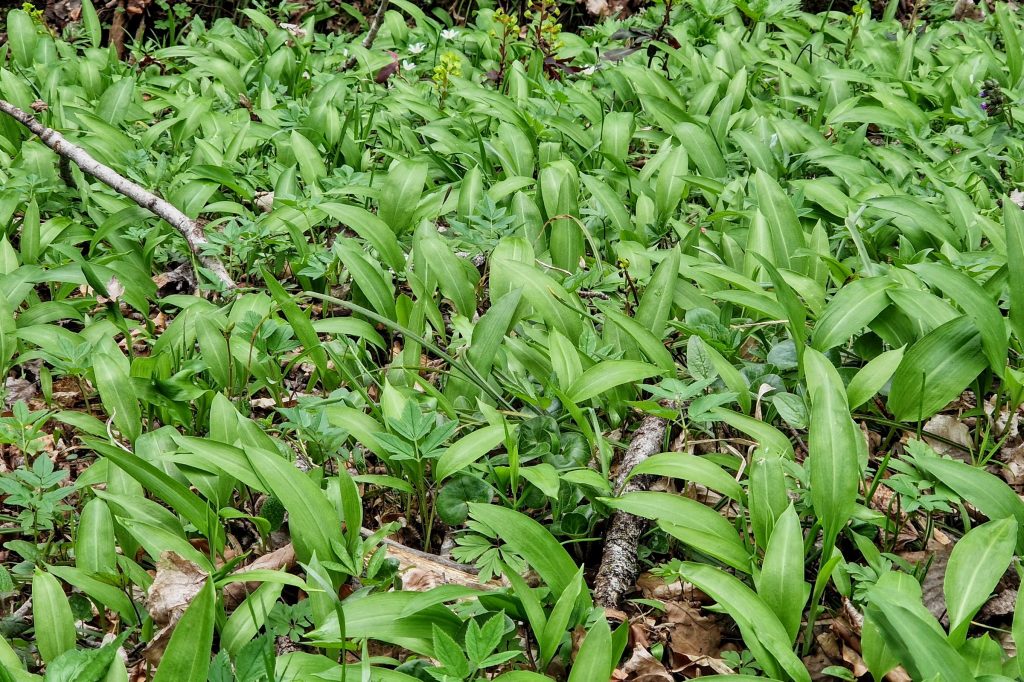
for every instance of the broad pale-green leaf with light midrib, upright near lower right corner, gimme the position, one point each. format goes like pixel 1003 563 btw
pixel 976 565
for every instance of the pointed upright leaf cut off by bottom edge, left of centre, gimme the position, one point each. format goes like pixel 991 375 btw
pixel 188 654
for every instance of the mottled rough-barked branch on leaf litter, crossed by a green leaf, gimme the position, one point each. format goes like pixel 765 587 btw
pixel 618 573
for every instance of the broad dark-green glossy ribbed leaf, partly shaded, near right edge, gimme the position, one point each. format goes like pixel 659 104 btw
pixel 936 370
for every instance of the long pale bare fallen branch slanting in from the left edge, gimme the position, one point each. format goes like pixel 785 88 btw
pixel 188 228
